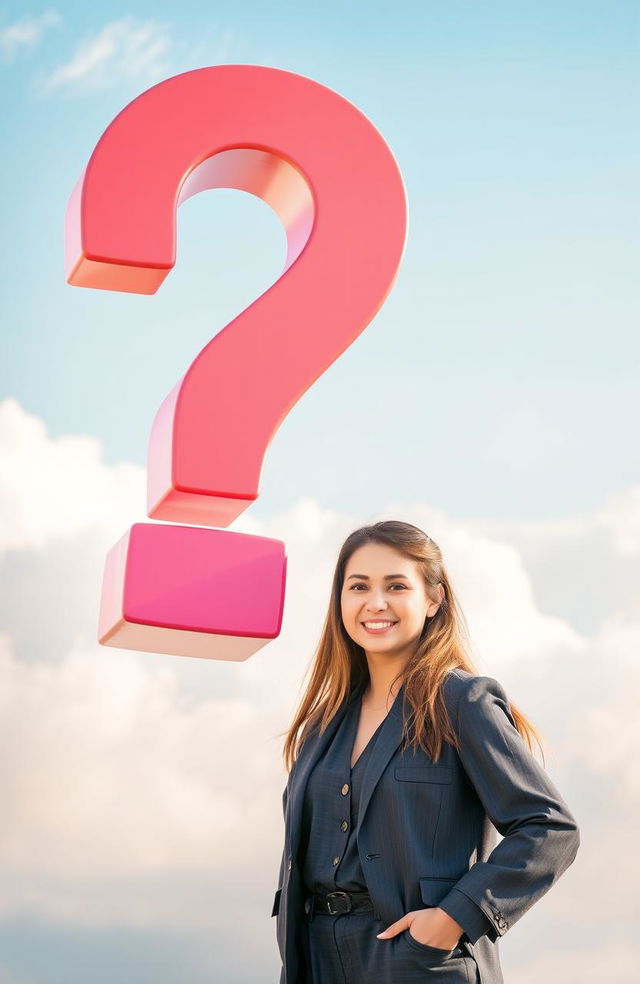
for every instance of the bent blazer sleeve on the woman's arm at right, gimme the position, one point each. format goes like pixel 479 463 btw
pixel 540 835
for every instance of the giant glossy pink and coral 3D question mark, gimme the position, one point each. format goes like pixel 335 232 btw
pixel 331 178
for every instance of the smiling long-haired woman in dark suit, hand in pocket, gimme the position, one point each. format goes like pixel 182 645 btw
pixel 403 763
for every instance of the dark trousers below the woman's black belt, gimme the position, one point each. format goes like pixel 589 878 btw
pixel 343 949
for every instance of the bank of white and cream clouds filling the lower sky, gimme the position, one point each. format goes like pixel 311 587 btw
pixel 135 786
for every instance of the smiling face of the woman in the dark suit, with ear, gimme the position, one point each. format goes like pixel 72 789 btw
pixel 381 585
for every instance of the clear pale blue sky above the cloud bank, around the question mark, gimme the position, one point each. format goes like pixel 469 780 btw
pixel 510 335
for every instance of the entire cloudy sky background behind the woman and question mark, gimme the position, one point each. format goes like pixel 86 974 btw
pixel 492 401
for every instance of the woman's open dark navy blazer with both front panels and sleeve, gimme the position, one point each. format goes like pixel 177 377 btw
pixel 436 844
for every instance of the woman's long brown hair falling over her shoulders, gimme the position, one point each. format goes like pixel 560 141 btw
pixel 340 664
